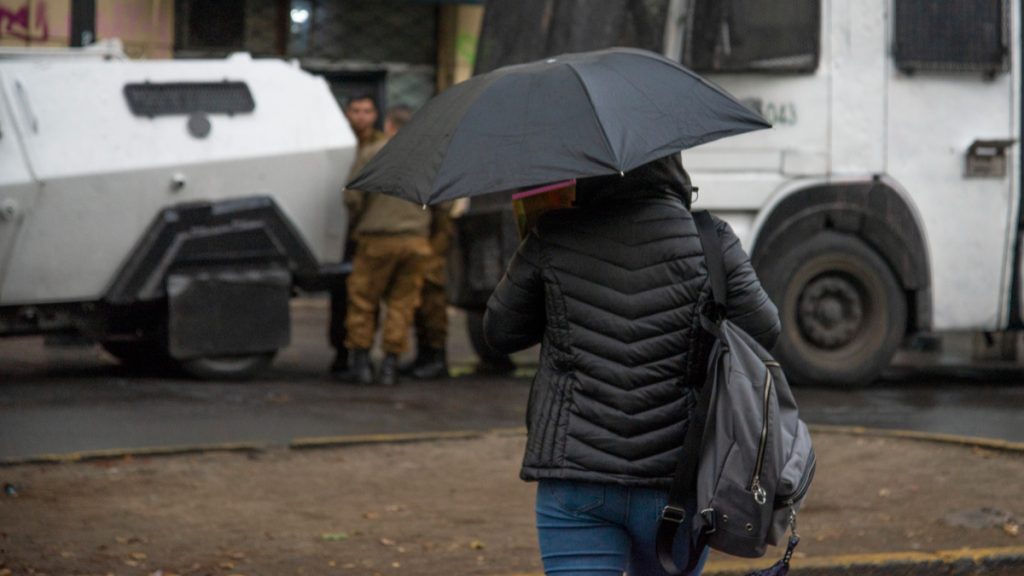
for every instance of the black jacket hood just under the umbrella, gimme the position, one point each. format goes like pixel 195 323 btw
pixel 664 178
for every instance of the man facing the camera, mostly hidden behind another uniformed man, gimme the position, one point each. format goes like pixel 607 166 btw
pixel 361 111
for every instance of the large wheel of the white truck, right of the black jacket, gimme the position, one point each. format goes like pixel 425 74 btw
pixel 843 311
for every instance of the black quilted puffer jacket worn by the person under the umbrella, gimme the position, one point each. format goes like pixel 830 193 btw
pixel 612 290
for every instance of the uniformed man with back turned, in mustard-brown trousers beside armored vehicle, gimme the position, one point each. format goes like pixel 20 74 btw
pixel 393 248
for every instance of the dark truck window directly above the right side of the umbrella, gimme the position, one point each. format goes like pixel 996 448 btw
pixel 753 36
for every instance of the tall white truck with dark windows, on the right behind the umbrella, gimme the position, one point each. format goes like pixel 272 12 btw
pixel 885 202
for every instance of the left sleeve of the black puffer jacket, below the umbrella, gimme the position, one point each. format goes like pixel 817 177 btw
pixel 516 316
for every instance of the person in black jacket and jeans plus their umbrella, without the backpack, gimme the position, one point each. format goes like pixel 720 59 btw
pixel 611 289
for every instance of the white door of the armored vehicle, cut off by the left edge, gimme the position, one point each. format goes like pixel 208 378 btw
pixel 18 188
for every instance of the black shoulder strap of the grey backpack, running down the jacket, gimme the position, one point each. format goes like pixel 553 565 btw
pixel 685 483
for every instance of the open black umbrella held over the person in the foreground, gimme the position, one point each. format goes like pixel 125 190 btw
pixel 571 116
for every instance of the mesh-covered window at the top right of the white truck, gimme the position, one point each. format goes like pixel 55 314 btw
pixel 952 35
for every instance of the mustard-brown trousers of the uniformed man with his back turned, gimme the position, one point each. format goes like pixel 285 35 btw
pixel 388 270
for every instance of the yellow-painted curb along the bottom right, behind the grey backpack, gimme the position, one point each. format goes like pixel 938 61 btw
pixel 992 562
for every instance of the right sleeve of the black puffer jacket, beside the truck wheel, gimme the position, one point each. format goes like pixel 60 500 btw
pixel 749 306
